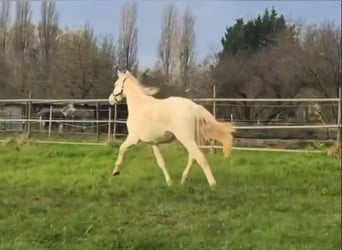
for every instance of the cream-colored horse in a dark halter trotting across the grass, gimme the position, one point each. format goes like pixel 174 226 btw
pixel 156 121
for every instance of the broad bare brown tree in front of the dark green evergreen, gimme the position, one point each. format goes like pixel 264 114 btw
pixel 271 73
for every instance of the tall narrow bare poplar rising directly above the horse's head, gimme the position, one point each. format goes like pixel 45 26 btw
pixel 128 38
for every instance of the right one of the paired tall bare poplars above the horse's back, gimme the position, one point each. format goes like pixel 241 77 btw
pixel 186 48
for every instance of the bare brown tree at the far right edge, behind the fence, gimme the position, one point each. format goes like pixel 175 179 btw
pixel 320 63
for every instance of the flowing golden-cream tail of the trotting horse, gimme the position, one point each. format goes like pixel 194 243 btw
pixel 207 127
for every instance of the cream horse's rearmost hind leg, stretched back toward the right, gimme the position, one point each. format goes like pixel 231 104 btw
pixel 197 154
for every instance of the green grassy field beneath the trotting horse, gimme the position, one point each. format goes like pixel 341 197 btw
pixel 63 197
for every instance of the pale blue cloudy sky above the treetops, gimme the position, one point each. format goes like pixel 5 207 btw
pixel 212 18
